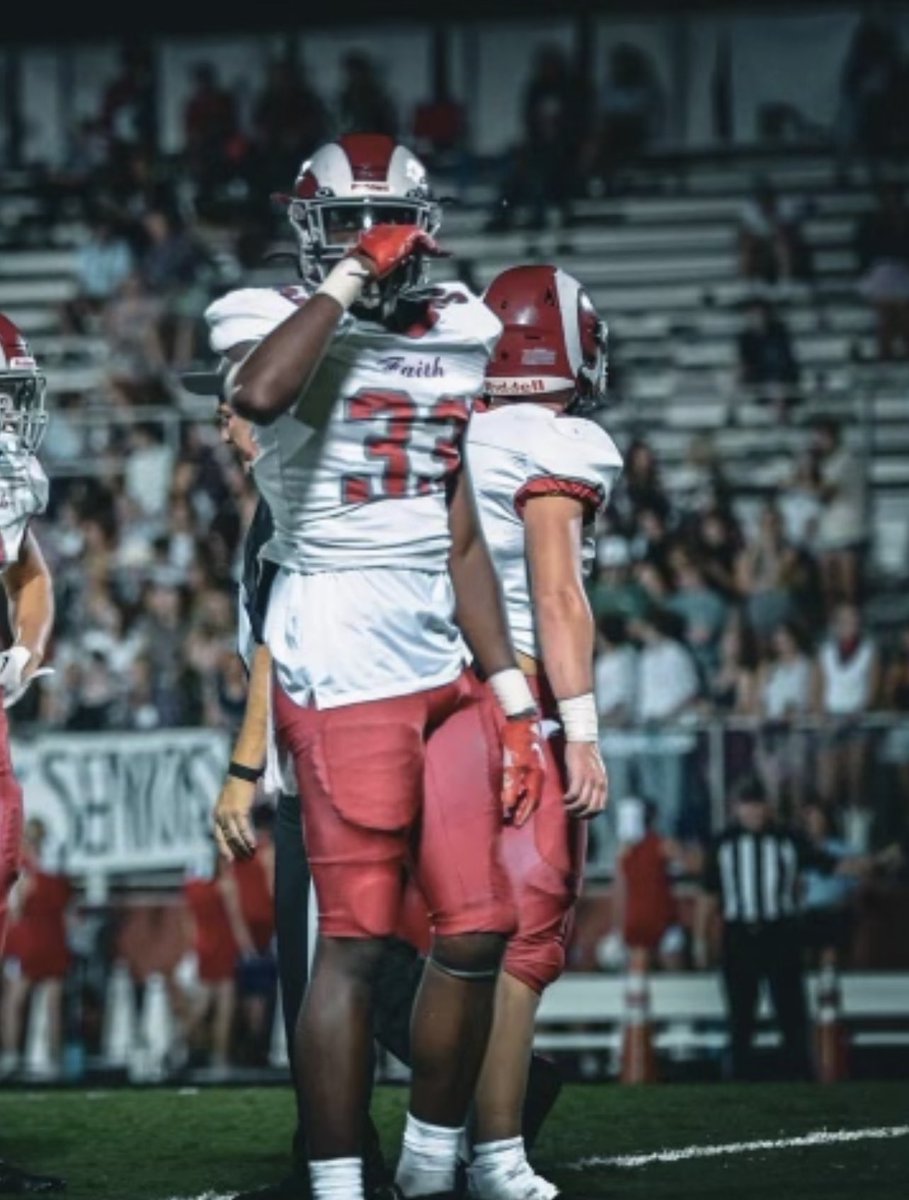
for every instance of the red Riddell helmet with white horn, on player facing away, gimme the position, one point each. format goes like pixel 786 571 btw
pixel 553 339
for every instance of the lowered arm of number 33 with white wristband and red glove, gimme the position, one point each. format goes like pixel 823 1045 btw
pixel 480 614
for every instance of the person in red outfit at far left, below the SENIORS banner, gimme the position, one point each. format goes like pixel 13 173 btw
pixel 37 950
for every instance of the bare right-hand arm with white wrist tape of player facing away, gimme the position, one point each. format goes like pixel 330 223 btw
pixel 565 627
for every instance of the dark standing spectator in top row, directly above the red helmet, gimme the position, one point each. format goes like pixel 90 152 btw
pixel 544 169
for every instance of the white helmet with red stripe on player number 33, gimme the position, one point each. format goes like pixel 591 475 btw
pixel 351 185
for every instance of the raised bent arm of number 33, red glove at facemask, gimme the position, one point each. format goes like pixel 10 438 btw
pixel 276 375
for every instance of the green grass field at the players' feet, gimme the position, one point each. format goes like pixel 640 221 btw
pixel 162 1144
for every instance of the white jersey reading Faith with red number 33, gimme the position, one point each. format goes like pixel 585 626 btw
pixel 364 608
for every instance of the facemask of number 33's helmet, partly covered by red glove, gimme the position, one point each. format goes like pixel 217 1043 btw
pixel 327 227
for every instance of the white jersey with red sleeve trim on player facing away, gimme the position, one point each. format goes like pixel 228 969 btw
pixel 519 452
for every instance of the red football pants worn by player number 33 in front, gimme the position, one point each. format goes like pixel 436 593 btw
pixel 407 783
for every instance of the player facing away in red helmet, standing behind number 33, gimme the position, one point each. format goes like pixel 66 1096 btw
pixel 541 471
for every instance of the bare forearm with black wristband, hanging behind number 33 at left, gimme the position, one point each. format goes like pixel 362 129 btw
pixel 233 827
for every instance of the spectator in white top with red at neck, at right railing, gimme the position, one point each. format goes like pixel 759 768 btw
pixel 847 687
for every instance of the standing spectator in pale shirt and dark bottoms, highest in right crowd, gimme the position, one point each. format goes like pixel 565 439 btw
pixel 844 526
